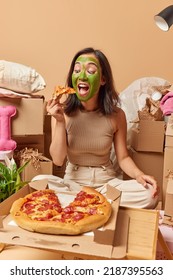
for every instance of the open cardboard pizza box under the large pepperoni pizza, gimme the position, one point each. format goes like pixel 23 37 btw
pixel 107 242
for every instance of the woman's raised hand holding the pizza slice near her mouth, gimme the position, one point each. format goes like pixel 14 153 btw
pixel 55 109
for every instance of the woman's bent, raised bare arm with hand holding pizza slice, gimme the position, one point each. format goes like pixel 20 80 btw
pixel 58 146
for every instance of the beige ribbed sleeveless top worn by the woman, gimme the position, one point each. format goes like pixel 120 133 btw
pixel 89 136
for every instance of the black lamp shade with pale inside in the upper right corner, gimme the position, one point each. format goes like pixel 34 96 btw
pixel 164 19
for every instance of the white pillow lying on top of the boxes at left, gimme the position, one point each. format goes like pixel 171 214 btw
pixel 20 78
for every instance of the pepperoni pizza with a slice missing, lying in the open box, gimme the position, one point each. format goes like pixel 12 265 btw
pixel 41 211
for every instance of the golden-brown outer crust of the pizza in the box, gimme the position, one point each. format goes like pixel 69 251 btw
pixel 86 224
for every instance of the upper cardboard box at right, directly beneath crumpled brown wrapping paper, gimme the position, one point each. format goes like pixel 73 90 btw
pixel 149 136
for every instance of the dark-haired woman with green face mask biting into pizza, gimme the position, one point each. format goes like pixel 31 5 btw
pixel 86 125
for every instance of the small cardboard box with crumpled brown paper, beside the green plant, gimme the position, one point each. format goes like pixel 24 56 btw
pixel 43 166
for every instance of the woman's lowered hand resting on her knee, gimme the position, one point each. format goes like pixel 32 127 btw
pixel 147 179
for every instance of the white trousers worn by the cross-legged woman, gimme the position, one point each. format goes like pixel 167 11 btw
pixel 133 194
